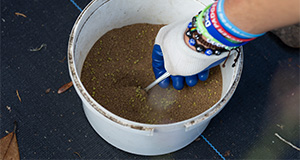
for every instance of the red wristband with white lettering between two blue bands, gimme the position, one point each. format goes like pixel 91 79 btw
pixel 220 29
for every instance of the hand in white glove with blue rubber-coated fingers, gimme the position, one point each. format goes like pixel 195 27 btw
pixel 171 54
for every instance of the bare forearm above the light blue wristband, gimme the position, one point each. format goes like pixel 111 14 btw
pixel 259 16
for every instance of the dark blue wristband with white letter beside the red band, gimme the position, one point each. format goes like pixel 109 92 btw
pixel 213 32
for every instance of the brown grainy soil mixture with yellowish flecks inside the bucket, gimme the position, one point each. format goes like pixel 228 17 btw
pixel 118 67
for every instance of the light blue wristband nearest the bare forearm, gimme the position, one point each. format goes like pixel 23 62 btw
pixel 232 29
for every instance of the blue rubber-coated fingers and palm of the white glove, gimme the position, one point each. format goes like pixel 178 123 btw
pixel 178 81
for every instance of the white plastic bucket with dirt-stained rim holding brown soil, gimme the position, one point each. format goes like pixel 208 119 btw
pixel 99 17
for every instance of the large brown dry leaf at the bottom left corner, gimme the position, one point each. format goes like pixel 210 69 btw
pixel 9 146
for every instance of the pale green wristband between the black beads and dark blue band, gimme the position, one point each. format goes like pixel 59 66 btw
pixel 202 30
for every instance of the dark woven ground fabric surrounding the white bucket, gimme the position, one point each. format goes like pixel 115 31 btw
pixel 54 126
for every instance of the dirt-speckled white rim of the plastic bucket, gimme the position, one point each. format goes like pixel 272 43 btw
pixel 86 97
